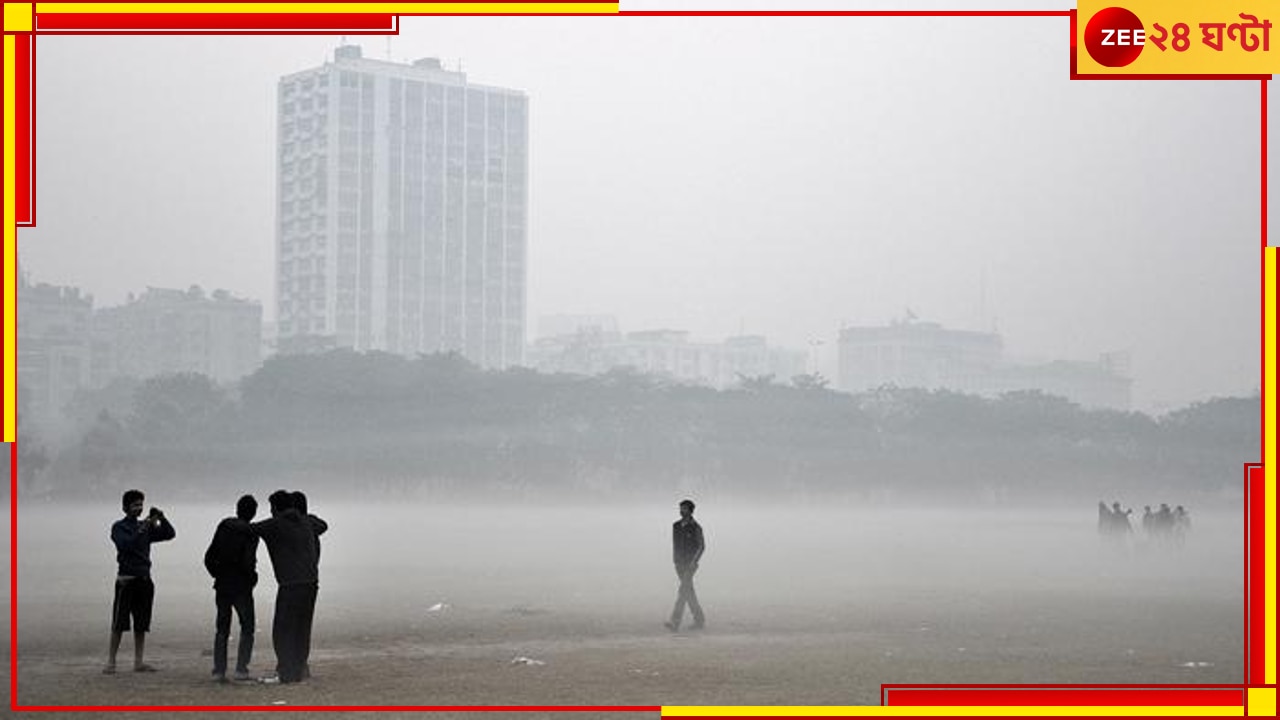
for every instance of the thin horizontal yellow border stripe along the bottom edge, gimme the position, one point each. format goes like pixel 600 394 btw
pixel 950 712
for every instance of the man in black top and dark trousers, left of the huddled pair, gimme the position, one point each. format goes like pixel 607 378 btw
pixel 232 560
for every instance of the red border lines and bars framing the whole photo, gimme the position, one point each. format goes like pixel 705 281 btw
pixel 956 695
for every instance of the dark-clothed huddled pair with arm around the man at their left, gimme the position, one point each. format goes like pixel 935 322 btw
pixel 291 541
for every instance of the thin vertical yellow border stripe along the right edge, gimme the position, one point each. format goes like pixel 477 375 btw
pixel 1269 461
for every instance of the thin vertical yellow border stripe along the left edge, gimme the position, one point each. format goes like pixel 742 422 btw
pixel 11 241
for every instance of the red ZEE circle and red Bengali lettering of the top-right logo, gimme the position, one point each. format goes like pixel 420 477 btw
pixel 1116 37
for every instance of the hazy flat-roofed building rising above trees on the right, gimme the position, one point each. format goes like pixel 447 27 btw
pixel 927 356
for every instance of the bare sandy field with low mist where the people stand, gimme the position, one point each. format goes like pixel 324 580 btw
pixel 819 618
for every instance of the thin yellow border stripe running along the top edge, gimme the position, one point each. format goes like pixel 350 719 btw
pixel 312 8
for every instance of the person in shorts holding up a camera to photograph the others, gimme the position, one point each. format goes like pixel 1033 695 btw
pixel 135 593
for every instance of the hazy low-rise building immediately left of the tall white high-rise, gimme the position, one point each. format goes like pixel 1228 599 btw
pixel 175 331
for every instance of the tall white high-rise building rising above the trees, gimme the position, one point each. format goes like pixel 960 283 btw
pixel 403 211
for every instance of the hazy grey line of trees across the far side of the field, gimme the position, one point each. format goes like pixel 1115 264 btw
pixel 436 426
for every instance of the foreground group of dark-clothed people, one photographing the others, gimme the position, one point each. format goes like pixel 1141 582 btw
pixel 292 537
